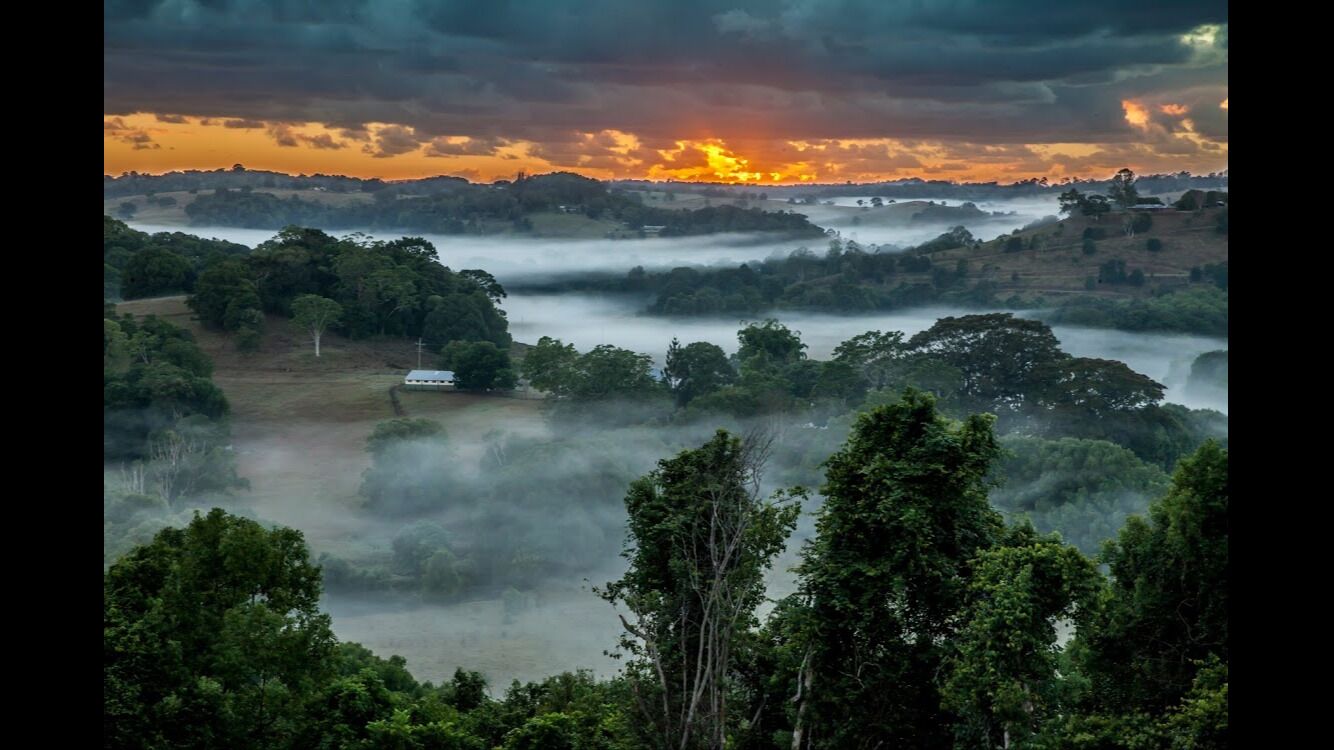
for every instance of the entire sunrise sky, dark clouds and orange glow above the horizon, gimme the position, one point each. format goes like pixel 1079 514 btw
pixel 737 91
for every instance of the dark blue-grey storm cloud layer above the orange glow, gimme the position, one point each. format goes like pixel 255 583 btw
pixel 1001 71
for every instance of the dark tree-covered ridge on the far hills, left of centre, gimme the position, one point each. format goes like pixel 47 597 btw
pixel 468 209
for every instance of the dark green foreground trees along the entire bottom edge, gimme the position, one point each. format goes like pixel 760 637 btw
pixel 921 620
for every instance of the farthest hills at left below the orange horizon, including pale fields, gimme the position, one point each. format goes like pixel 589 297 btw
pixel 557 205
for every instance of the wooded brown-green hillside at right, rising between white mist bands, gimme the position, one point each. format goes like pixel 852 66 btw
pixel 1163 270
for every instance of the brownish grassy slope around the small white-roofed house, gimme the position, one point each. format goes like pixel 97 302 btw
pixel 299 424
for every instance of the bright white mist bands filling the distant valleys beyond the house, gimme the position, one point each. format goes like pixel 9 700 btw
pixel 588 321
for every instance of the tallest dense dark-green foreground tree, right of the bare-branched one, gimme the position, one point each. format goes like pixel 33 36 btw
pixel 888 576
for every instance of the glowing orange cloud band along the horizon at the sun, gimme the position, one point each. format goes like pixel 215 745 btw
pixel 146 143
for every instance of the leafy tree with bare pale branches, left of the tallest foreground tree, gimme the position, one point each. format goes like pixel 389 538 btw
pixel 700 541
